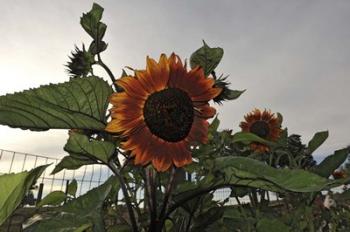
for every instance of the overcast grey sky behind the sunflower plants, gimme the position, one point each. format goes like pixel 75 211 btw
pixel 293 57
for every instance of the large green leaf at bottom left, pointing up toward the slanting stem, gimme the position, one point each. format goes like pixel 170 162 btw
pixel 83 212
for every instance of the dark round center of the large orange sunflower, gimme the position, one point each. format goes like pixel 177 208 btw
pixel 169 114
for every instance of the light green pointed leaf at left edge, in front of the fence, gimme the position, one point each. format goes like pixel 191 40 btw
pixel 13 187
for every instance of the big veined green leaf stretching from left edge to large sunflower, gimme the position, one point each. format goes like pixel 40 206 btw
pixel 80 103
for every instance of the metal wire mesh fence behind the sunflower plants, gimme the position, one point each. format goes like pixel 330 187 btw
pixel 87 177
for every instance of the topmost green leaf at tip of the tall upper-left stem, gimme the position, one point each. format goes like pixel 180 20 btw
pixel 91 22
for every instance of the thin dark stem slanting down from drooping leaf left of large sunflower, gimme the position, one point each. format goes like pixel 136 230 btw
pixel 116 171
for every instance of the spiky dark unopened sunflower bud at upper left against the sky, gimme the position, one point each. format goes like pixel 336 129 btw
pixel 80 63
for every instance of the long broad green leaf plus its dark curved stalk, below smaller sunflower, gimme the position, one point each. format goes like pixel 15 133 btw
pixel 242 171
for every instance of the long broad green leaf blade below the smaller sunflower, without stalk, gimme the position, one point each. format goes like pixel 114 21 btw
pixel 252 173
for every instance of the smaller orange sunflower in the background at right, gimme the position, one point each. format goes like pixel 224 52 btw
pixel 263 124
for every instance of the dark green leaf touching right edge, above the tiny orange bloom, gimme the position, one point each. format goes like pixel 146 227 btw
pixel 332 162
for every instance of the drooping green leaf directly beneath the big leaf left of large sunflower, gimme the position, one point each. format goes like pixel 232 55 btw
pixel 83 151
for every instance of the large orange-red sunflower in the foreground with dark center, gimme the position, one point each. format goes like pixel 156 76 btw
pixel 163 111
